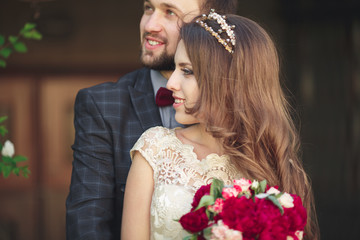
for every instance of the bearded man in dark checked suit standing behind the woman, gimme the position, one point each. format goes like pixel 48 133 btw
pixel 110 117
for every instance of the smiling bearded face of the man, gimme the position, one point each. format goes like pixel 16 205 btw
pixel 159 30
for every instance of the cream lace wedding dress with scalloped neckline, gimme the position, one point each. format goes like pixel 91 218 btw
pixel 177 175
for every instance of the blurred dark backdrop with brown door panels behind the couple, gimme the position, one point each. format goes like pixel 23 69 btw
pixel 87 41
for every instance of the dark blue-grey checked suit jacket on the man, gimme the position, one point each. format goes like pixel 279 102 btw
pixel 109 118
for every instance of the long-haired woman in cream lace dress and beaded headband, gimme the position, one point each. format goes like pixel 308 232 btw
pixel 226 88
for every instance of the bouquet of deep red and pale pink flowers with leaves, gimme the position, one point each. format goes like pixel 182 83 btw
pixel 246 210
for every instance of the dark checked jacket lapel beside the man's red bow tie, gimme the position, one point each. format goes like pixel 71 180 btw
pixel 143 100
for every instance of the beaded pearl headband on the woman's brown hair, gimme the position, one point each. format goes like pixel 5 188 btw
pixel 229 42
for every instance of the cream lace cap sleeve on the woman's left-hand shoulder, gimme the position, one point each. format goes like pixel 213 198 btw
pixel 148 145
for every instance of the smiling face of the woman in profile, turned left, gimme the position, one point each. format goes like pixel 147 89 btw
pixel 184 86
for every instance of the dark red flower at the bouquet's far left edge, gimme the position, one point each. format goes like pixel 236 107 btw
pixel 195 221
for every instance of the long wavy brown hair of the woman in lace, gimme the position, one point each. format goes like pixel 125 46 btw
pixel 242 103
